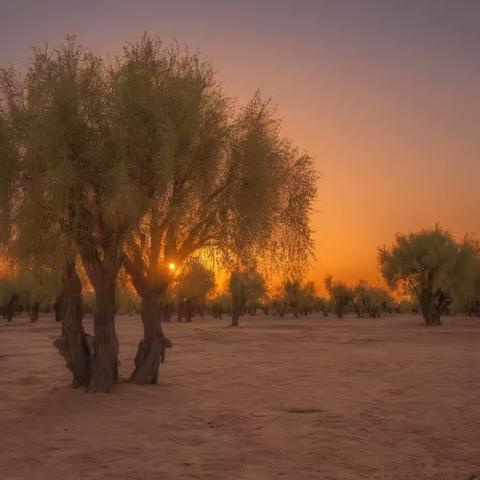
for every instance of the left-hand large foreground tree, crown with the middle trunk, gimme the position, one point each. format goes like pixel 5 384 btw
pixel 74 172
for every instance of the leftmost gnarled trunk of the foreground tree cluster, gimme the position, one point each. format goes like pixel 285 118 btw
pixel 74 345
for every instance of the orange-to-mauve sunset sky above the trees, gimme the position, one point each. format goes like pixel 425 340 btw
pixel 384 94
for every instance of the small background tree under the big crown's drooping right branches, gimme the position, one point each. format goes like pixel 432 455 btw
pixel 246 287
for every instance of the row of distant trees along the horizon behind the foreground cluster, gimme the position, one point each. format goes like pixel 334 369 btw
pixel 427 265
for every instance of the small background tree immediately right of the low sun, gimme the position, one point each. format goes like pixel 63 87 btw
pixel 194 284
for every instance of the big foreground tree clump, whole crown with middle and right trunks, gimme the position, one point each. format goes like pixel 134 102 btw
pixel 143 163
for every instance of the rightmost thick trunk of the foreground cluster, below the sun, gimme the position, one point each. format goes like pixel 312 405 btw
pixel 152 348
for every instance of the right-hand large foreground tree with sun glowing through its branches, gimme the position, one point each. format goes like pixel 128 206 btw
pixel 226 182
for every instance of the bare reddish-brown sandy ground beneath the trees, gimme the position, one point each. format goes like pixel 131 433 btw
pixel 292 399
